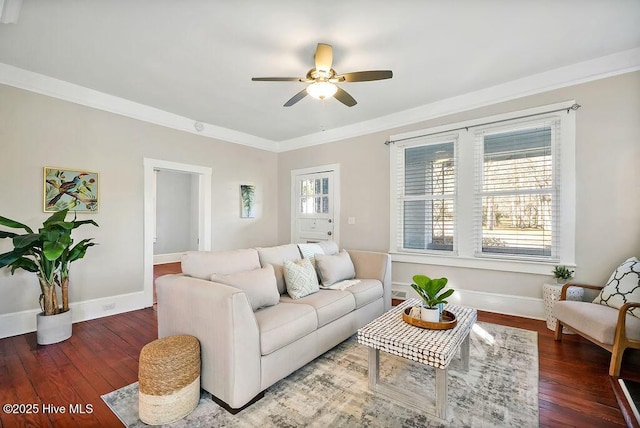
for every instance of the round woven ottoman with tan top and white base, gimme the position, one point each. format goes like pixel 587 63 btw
pixel 169 379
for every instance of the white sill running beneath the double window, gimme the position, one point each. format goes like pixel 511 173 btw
pixel 521 266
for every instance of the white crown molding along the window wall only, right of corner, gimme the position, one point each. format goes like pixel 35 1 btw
pixel 586 71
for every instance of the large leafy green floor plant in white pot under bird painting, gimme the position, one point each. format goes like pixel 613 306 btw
pixel 48 253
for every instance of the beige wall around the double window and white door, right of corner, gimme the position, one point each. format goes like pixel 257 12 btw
pixel 608 186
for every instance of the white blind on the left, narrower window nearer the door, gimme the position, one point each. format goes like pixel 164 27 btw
pixel 426 185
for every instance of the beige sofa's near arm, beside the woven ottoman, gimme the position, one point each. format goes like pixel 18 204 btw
pixel 221 318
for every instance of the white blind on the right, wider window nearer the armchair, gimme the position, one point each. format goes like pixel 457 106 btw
pixel 516 210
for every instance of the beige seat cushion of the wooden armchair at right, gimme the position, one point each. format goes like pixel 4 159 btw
pixel 596 321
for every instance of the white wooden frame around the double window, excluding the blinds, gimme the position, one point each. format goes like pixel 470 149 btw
pixel 465 232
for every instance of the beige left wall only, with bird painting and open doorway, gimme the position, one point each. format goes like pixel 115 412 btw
pixel 37 131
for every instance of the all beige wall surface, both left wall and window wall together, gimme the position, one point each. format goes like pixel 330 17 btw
pixel 37 131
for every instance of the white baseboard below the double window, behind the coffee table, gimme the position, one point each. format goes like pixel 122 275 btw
pixel 527 307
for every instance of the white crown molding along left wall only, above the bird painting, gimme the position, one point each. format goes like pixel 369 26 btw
pixel 45 85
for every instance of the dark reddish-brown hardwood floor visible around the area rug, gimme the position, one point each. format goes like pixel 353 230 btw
pixel 102 355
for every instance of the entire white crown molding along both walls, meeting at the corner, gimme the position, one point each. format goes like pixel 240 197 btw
pixel 586 71
